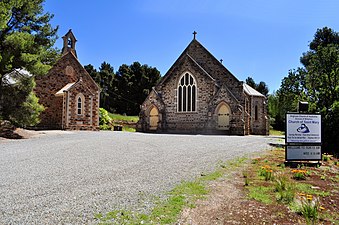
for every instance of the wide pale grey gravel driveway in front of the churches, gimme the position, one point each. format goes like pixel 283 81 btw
pixel 68 177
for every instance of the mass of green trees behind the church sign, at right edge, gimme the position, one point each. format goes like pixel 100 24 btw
pixel 316 82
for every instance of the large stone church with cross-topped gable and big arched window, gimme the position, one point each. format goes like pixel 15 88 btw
pixel 199 94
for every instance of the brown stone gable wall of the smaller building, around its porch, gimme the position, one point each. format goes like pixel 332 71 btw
pixel 66 70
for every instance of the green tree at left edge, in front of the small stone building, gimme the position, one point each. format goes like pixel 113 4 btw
pixel 26 41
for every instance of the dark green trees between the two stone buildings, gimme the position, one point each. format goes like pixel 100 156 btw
pixel 124 91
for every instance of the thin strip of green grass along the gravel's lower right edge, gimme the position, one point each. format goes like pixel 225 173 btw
pixel 168 210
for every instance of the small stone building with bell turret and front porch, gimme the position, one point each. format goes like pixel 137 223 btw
pixel 68 93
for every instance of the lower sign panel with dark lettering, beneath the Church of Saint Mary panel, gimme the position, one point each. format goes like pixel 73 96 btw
pixel 303 152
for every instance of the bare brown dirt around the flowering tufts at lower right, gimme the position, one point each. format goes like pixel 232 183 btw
pixel 228 203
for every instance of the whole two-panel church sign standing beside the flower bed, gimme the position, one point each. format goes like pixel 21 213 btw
pixel 303 136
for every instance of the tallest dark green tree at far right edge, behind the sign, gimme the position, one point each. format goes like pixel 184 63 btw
pixel 322 83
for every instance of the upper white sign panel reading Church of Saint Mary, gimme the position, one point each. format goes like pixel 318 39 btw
pixel 303 128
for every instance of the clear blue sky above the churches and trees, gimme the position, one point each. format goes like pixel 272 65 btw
pixel 257 38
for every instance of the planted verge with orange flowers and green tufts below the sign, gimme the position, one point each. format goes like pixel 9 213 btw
pixel 311 197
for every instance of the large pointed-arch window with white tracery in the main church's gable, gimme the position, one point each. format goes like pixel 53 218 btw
pixel 187 92
